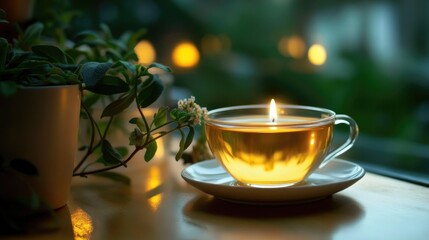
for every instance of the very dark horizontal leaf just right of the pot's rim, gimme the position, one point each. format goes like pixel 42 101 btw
pixel 109 85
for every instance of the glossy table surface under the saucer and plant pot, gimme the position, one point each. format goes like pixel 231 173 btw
pixel 159 204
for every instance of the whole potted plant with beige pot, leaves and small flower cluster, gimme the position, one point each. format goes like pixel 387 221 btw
pixel 43 91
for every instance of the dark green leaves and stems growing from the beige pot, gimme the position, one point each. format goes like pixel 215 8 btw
pixel 102 65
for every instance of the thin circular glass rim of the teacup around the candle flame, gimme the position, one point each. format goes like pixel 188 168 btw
pixel 323 120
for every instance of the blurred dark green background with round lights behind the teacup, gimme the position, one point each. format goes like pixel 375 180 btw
pixel 367 59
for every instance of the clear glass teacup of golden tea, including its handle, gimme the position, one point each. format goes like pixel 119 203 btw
pixel 260 152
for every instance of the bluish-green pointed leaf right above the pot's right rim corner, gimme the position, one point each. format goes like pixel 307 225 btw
pixel 93 72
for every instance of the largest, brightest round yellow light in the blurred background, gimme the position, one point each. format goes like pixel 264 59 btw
pixel 186 55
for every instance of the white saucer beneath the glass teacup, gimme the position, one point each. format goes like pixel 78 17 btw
pixel 210 177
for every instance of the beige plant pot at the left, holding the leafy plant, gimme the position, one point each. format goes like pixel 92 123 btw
pixel 40 125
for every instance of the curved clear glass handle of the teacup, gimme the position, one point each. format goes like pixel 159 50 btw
pixel 353 133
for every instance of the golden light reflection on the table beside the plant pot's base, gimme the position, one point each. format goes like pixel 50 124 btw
pixel 82 224
